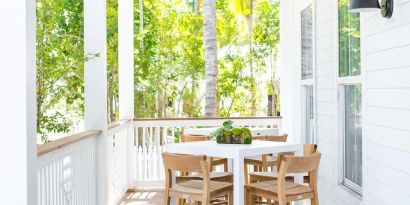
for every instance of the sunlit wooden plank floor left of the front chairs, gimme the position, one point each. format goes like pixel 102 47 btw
pixel 150 198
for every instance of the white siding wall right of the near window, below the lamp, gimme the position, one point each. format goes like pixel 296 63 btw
pixel 386 64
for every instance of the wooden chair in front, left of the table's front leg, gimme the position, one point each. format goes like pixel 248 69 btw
pixel 203 191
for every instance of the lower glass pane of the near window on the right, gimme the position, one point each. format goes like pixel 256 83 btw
pixel 353 133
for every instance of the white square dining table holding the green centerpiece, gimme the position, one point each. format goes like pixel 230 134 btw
pixel 237 153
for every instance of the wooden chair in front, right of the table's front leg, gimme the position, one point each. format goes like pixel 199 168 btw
pixel 284 191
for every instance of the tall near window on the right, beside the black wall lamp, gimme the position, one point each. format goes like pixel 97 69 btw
pixel 350 96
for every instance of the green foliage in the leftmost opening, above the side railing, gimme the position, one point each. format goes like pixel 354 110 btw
pixel 60 66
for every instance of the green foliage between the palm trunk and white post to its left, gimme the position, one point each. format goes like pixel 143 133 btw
pixel 169 60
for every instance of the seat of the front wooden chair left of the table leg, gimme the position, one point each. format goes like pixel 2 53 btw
pixel 195 187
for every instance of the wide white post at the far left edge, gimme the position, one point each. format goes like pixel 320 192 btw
pixel 18 150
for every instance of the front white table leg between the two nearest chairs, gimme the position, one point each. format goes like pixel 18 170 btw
pixel 239 181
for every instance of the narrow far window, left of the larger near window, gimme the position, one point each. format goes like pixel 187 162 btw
pixel 307 73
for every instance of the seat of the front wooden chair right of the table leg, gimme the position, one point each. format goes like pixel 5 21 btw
pixel 271 187
